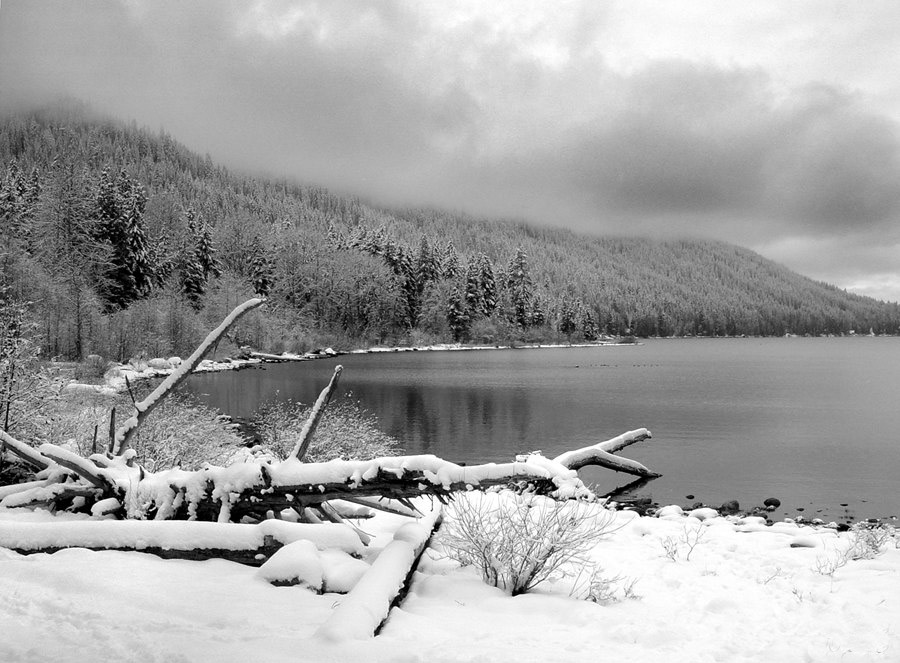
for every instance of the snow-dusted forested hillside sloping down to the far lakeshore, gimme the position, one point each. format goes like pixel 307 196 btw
pixel 117 240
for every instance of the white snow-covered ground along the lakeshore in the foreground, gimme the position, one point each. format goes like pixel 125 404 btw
pixel 745 594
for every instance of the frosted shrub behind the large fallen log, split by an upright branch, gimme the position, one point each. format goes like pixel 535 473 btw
pixel 346 430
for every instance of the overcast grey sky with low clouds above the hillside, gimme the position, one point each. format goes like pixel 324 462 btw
pixel 769 124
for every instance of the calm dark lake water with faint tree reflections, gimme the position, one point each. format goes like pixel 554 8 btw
pixel 814 422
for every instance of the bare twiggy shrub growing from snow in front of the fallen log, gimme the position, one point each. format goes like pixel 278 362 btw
pixel 520 541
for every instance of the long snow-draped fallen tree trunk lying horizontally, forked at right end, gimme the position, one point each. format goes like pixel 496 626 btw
pixel 256 490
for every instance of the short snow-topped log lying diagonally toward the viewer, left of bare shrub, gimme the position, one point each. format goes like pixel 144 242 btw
pixel 362 612
